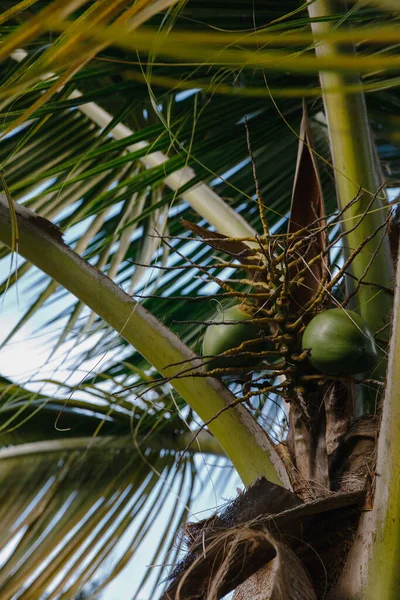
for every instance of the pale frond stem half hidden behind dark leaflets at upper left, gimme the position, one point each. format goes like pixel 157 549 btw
pixel 201 198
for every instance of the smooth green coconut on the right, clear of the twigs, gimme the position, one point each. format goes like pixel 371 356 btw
pixel 340 343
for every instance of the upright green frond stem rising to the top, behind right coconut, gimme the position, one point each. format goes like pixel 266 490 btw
pixel 356 166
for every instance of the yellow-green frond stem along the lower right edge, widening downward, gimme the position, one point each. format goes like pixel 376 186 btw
pixel 372 568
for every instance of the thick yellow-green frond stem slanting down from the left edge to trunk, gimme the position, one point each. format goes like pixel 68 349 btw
pixel 243 440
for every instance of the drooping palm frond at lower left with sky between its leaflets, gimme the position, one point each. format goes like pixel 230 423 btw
pixel 70 503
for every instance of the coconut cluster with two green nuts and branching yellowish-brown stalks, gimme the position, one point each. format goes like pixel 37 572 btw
pixel 285 325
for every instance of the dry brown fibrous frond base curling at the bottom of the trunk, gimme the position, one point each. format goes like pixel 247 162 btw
pixel 267 544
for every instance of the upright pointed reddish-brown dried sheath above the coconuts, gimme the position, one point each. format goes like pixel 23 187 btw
pixel 307 212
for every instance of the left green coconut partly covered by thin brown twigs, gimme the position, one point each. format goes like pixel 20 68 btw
pixel 230 335
